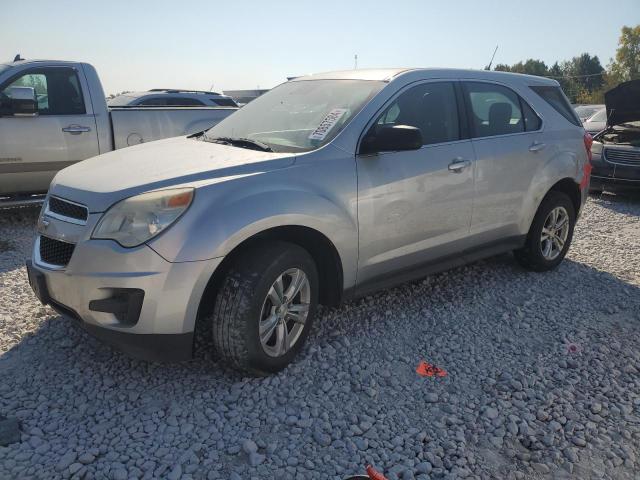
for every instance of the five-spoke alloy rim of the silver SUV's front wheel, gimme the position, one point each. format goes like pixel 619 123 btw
pixel 284 312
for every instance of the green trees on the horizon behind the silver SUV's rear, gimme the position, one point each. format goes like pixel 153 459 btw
pixel 583 78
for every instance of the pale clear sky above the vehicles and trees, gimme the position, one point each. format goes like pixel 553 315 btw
pixel 137 45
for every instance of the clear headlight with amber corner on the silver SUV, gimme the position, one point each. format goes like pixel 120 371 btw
pixel 138 219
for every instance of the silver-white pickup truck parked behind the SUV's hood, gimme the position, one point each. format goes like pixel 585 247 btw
pixel 54 114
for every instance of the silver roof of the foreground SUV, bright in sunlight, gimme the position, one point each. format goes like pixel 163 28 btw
pixel 388 74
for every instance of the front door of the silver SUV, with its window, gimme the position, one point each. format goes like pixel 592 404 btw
pixel 415 206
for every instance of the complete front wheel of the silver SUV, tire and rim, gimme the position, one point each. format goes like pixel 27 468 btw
pixel 265 308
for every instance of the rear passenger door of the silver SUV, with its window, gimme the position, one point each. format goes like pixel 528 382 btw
pixel 509 148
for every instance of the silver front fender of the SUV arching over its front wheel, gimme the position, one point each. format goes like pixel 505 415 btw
pixel 224 216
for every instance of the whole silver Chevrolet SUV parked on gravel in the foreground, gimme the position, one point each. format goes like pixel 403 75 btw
pixel 327 187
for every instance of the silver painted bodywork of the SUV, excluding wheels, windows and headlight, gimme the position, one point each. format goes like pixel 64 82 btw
pixel 390 216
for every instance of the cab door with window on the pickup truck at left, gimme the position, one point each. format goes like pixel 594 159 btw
pixel 34 148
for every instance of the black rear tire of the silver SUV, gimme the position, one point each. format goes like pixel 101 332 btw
pixel 532 255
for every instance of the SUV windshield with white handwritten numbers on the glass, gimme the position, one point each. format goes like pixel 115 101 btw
pixel 298 116
